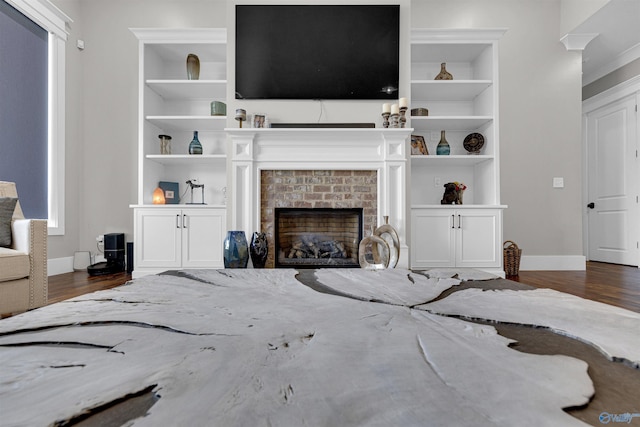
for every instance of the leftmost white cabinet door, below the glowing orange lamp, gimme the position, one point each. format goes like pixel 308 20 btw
pixel 157 238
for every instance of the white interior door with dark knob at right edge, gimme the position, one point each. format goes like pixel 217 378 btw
pixel 612 173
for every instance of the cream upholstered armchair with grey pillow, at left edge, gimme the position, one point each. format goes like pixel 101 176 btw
pixel 23 256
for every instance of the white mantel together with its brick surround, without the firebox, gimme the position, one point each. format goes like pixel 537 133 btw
pixel 318 168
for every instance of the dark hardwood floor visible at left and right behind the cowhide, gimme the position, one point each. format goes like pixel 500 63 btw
pixel 613 284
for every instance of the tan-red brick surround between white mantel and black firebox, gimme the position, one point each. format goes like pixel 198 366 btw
pixel 317 190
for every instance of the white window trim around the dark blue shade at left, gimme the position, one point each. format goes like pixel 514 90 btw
pixel 50 19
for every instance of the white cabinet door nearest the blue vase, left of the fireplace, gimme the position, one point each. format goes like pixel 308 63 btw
pixel 202 238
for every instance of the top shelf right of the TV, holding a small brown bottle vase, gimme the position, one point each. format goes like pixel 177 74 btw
pixel 447 90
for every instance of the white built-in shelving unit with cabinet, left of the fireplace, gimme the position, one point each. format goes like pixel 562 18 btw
pixel 184 234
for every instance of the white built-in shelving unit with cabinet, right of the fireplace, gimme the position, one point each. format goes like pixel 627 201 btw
pixel 467 235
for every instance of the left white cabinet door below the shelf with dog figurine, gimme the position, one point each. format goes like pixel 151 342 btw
pixel 432 238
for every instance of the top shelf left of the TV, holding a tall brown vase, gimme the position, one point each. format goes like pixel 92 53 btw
pixel 189 89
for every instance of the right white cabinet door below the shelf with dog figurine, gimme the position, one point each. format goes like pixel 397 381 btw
pixel 478 238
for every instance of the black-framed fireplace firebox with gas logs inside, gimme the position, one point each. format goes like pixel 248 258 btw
pixel 317 237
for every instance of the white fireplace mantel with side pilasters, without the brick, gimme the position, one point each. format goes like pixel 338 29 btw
pixel 380 149
